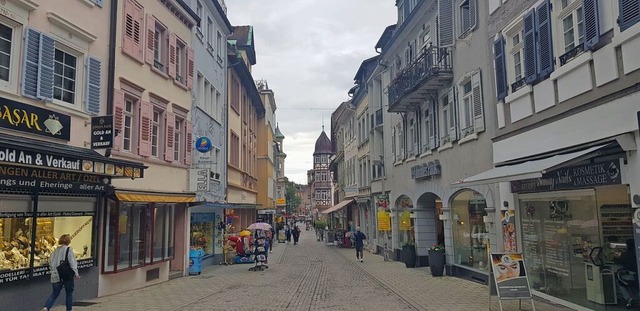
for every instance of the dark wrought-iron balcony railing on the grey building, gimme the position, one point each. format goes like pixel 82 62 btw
pixel 432 62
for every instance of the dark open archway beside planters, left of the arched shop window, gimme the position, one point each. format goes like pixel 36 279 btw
pixel 429 229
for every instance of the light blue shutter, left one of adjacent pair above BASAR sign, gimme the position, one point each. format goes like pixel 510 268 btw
pixel 29 85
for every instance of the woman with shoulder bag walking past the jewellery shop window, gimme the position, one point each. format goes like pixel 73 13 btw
pixel 59 254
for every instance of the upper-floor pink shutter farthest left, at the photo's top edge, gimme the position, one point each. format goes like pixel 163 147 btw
pixel 132 30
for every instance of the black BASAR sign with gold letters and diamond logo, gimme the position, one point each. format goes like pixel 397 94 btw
pixel 26 118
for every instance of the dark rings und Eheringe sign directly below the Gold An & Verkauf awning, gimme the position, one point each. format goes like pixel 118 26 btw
pixel 16 177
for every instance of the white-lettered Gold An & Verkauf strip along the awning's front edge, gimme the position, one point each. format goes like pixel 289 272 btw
pixel 68 163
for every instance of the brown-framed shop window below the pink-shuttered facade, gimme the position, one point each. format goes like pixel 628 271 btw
pixel 137 234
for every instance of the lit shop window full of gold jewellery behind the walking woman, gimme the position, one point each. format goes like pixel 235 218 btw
pixel 54 217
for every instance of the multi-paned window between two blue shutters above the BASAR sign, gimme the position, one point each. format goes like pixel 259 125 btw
pixel 64 77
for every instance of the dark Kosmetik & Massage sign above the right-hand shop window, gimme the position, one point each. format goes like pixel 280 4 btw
pixel 573 177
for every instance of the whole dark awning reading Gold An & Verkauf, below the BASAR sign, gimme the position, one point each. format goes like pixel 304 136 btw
pixel 51 155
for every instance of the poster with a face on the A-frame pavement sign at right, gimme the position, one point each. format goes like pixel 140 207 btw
pixel 510 276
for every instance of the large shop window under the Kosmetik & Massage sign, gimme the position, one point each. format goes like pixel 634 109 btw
pixel 559 230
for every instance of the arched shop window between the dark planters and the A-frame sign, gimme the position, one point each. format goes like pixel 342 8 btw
pixel 469 231
